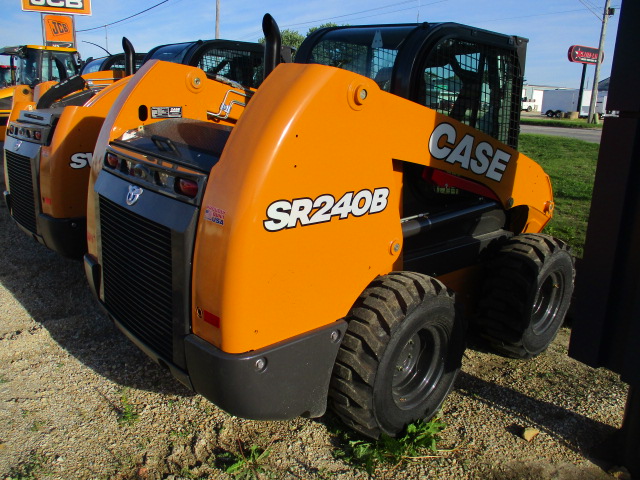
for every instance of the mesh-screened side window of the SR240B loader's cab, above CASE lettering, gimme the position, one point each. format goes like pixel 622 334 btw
pixel 473 83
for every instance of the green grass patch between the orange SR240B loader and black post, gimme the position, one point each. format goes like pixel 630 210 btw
pixel 571 164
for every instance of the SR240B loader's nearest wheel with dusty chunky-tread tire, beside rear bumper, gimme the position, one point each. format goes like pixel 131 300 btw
pixel 400 355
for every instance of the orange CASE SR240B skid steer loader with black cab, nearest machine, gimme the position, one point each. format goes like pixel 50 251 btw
pixel 309 255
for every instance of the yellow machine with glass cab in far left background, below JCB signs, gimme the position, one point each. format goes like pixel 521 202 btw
pixel 35 64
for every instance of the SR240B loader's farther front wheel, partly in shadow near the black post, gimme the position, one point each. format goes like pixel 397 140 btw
pixel 526 295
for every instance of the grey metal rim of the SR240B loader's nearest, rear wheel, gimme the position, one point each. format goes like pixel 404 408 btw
pixel 419 367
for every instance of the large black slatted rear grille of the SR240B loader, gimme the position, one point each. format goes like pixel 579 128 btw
pixel 137 275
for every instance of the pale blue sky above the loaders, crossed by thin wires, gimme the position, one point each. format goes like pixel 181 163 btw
pixel 551 25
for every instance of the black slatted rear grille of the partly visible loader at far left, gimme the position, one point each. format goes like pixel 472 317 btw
pixel 23 207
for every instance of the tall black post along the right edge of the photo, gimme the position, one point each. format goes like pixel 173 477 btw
pixel 606 330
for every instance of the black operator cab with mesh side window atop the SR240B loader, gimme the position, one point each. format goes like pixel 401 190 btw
pixel 471 75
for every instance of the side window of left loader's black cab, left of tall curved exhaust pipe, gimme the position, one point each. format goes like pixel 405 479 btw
pixel 241 66
